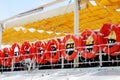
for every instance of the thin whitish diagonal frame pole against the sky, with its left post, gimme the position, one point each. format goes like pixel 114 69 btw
pixel 26 13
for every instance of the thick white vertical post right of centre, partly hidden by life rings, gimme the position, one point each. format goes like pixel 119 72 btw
pixel 76 26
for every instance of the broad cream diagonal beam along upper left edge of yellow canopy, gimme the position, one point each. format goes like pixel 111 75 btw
pixel 40 16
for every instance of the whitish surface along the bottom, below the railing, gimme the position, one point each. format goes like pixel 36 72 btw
pixel 111 73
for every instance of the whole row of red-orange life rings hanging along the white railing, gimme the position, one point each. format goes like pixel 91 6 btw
pixel 42 51
